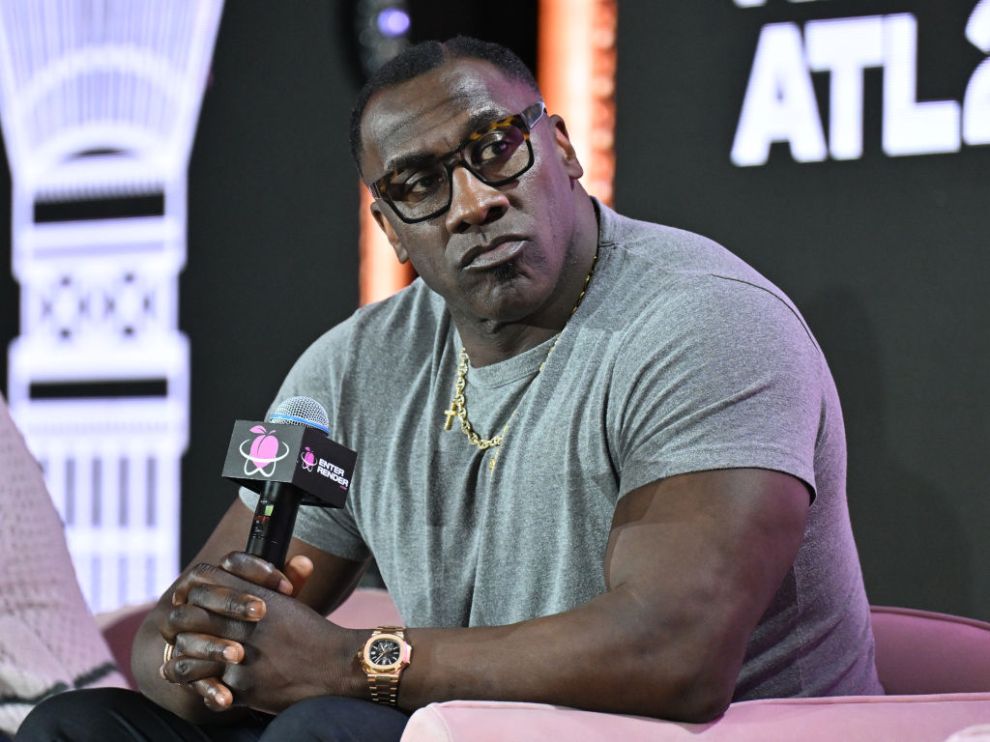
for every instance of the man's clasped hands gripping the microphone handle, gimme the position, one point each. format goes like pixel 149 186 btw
pixel 240 638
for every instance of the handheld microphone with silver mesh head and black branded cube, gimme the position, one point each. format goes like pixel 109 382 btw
pixel 289 461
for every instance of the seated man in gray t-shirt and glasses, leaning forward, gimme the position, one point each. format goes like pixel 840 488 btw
pixel 602 460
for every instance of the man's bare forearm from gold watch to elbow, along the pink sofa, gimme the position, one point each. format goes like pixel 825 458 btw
pixel 603 656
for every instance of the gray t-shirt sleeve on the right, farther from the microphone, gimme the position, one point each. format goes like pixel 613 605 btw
pixel 726 376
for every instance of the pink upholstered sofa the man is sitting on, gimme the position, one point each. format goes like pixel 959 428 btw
pixel 935 666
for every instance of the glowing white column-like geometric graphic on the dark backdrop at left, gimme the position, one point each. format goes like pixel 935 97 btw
pixel 99 101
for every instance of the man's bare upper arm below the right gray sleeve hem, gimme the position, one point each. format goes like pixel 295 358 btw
pixel 704 553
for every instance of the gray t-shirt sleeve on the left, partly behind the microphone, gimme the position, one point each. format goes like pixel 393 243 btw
pixel 319 373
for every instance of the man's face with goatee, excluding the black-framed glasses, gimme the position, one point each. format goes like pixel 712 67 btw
pixel 498 253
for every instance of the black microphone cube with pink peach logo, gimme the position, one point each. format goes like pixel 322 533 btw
pixel 262 452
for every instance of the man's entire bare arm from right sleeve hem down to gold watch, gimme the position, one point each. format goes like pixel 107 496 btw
pixel 693 563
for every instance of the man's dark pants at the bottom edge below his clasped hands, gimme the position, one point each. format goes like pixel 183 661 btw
pixel 111 714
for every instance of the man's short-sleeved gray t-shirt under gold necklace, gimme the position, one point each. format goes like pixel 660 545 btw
pixel 681 358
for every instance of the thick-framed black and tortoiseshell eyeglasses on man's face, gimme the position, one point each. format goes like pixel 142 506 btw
pixel 495 155
